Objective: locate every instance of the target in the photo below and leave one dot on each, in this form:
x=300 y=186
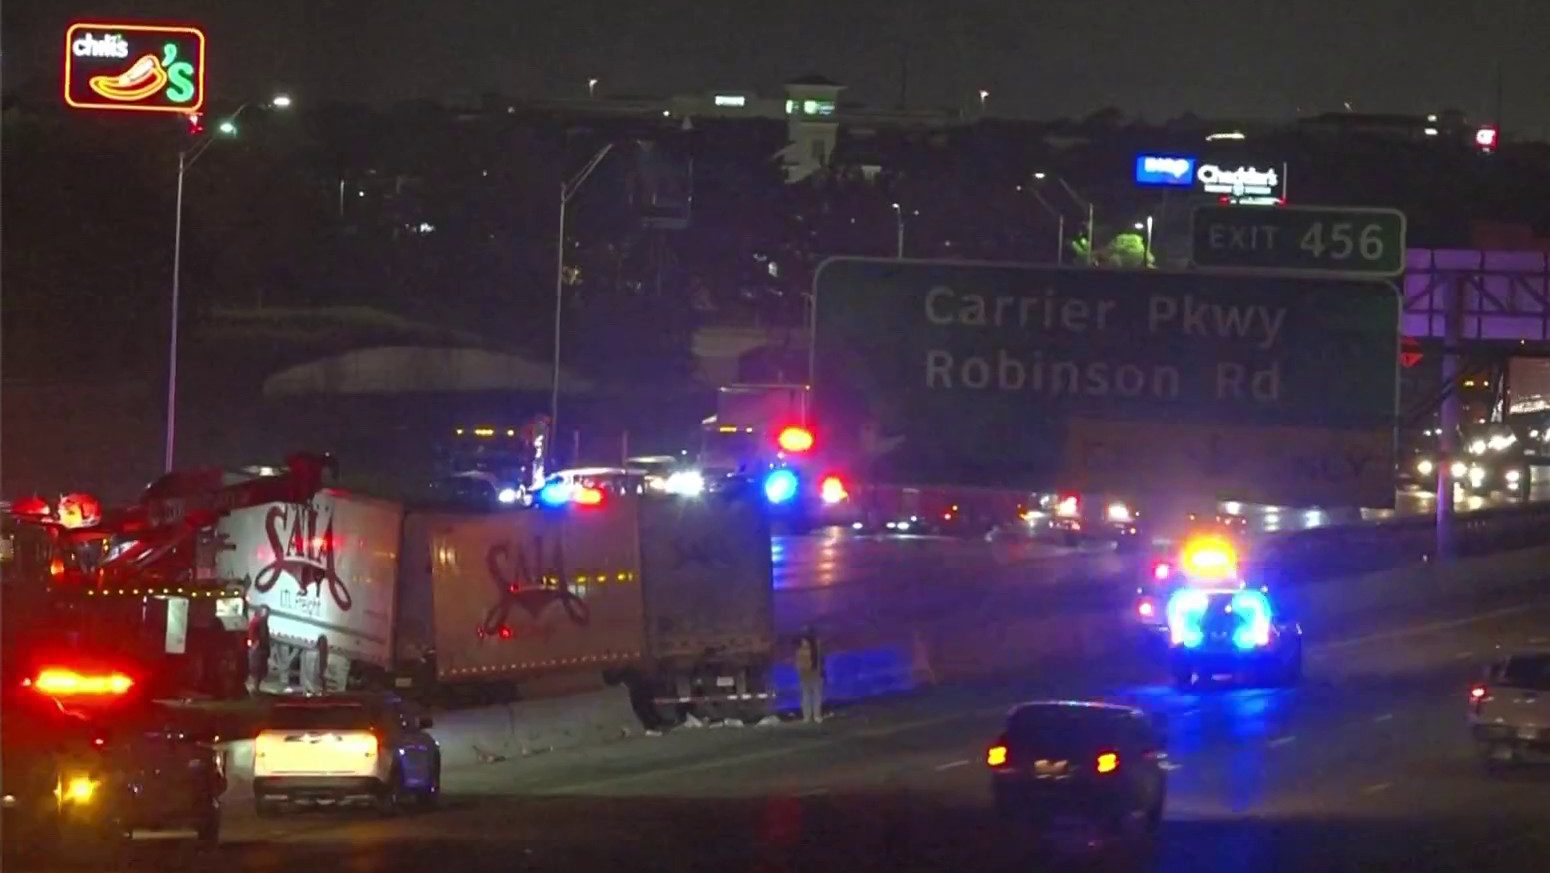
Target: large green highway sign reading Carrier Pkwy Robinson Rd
x=1258 y=388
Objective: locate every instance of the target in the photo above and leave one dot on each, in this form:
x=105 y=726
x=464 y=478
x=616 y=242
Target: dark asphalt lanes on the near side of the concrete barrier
x=1365 y=767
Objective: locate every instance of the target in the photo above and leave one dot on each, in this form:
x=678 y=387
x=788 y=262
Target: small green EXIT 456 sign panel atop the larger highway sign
x=1326 y=240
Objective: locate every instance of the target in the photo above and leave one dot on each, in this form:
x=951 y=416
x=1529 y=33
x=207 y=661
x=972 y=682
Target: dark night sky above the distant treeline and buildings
x=1038 y=58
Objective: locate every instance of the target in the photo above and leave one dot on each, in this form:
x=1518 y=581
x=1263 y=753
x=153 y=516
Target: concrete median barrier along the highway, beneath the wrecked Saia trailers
x=982 y=640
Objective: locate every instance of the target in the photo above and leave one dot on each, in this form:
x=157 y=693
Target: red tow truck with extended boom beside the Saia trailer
x=145 y=576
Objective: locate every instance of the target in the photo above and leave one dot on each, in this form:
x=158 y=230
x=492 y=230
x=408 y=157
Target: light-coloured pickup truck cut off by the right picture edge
x=1510 y=711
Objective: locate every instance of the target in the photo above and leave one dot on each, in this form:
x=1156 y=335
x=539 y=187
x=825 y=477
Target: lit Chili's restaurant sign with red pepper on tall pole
x=134 y=67
